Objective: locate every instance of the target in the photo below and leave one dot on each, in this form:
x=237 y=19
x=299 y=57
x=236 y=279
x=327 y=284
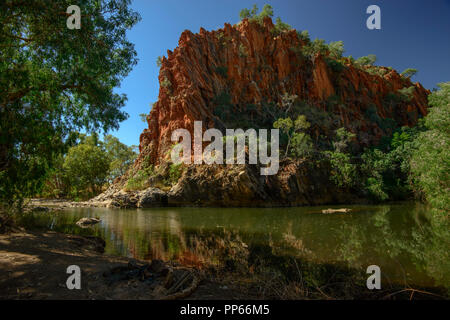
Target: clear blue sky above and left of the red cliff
x=413 y=34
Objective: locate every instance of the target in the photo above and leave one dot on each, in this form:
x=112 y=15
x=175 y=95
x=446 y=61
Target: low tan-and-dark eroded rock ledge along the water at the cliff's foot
x=297 y=183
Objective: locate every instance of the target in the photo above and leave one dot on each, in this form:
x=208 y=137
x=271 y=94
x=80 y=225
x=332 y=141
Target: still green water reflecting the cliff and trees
x=402 y=239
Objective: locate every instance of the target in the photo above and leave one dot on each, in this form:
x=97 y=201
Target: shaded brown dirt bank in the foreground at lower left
x=33 y=266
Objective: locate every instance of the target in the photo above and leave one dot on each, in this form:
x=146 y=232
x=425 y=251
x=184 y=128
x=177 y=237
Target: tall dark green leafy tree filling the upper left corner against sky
x=56 y=81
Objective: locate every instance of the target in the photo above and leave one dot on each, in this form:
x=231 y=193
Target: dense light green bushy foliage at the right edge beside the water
x=430 y=164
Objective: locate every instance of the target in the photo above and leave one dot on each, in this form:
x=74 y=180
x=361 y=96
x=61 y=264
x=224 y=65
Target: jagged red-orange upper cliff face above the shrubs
x=260 y=68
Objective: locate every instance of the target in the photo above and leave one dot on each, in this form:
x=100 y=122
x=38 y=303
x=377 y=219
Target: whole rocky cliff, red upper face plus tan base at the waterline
x=253 y=69
